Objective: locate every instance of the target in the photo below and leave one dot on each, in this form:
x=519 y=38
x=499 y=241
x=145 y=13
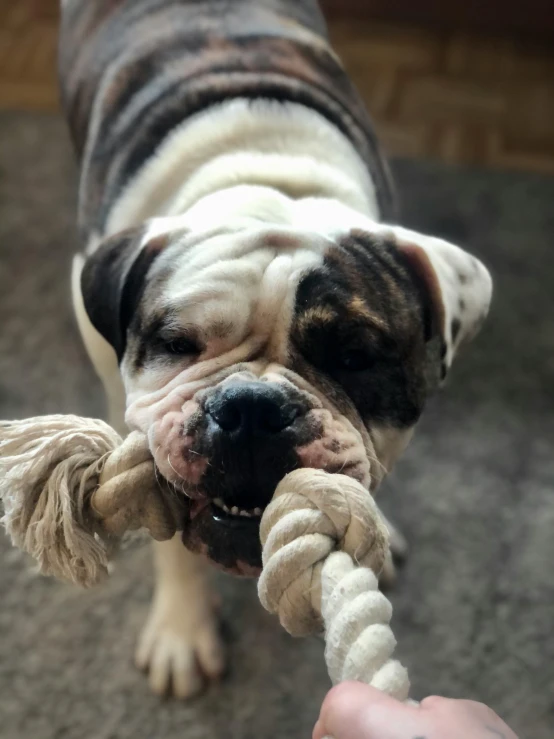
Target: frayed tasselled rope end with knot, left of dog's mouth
x=71 y=487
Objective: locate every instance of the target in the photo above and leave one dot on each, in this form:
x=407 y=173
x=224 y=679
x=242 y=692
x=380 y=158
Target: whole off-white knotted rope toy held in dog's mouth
x=71 y=488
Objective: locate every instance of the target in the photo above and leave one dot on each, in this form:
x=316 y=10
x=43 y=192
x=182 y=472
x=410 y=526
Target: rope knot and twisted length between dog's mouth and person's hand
x=310 y=585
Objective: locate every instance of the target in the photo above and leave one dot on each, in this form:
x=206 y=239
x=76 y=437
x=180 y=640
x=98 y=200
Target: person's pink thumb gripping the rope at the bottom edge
x=356 y=711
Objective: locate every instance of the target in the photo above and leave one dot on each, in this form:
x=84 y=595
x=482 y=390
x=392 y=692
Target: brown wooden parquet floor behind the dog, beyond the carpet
x=434 y=95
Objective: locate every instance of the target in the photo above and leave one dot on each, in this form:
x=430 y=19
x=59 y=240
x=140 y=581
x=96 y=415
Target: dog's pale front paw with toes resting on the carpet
x=180 y=648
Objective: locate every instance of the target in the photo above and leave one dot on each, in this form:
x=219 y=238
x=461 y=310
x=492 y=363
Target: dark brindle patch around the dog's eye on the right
x=371 y=354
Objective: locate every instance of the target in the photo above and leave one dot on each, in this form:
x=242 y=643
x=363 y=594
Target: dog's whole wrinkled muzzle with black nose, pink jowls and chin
x=227 y=446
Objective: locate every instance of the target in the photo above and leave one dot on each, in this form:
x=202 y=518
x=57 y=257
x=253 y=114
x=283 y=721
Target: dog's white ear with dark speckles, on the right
x=457 y=284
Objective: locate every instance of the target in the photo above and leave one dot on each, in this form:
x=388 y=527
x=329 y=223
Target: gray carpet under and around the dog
x=474 y=606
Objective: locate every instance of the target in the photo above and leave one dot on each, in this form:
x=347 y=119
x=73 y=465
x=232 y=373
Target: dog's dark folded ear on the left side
x=113 y=280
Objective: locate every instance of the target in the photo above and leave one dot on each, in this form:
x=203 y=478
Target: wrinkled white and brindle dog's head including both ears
x=247 y=353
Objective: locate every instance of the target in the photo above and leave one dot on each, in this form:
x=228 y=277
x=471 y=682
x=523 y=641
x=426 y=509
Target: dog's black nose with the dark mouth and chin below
x=251 y=429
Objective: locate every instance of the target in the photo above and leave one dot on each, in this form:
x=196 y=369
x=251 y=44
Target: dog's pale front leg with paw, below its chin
x=180 y=644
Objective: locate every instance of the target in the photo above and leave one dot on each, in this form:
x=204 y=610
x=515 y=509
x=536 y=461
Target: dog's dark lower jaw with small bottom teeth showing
x=227 y=535
